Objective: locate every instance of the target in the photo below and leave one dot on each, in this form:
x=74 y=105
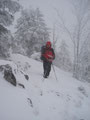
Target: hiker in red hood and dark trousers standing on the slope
x=47 y=56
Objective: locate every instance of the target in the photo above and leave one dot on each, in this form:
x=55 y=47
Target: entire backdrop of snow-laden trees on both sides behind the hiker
x=32 y=32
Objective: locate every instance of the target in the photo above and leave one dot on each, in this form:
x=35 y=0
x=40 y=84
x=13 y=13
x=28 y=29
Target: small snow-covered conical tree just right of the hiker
x=63 y=59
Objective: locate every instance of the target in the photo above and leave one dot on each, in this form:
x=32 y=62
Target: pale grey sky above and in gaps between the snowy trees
x=50 y=15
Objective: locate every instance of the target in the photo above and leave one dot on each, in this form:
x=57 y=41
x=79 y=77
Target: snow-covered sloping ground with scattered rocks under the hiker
x=42 y=99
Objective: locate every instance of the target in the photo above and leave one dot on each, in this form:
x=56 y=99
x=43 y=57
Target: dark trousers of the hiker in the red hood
x=47 y=68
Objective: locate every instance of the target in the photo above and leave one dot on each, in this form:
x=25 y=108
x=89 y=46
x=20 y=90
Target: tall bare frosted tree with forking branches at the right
x=81 y=10
